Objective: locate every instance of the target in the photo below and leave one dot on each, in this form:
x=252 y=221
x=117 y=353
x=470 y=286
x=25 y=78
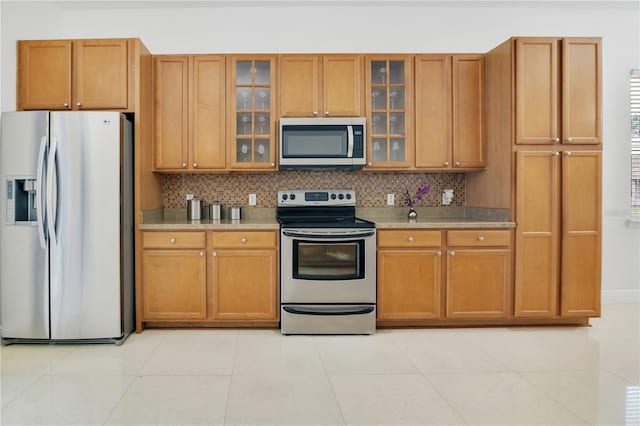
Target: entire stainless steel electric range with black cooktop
x=327 y=264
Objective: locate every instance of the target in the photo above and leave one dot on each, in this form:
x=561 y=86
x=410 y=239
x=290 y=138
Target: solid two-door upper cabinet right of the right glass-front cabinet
x=449 y=111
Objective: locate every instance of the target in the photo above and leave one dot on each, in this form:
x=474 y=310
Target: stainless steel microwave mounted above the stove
x=322 y=143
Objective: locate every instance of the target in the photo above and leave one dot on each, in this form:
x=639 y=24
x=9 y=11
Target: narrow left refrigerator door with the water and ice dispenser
x=24 y=289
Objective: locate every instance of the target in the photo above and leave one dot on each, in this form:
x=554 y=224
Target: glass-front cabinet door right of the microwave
x=389 y=108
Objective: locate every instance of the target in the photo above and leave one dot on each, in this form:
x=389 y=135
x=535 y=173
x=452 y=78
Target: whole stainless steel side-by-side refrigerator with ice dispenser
x=66 y=252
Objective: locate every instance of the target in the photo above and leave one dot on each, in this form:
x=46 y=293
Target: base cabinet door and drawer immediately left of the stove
x=245 y=276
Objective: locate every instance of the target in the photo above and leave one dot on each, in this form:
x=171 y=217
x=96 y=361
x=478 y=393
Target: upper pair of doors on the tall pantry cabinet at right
x=558 y=90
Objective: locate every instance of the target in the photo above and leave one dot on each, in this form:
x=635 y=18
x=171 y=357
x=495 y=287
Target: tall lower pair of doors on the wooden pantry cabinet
x=558 y=237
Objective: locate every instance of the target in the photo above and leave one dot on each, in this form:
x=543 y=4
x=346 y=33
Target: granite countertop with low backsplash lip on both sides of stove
x=265 y=218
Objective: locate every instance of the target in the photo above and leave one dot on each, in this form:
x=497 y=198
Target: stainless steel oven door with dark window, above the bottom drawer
x=328 y=265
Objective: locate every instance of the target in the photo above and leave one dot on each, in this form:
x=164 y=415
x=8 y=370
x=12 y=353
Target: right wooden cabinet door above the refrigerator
x=101 y=73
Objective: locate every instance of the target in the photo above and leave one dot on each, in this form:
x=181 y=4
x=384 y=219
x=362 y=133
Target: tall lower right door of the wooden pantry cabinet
x=581 y=233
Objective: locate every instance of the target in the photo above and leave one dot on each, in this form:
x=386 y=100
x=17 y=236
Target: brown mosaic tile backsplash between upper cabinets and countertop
x=371 y=188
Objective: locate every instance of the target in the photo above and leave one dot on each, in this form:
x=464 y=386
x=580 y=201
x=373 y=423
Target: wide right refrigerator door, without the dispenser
x=84 y=225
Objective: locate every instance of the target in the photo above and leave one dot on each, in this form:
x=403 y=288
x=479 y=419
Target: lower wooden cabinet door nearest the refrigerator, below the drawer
x=174 y=284
